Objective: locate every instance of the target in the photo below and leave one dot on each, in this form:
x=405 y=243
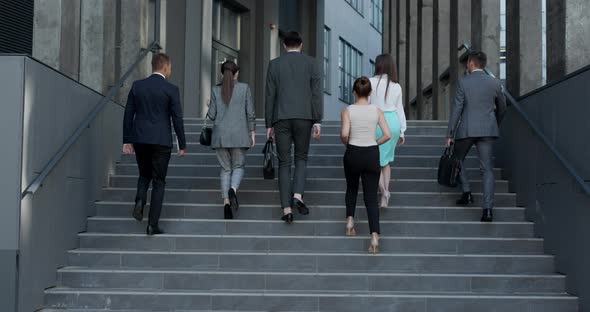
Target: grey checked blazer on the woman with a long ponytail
x=232 y=122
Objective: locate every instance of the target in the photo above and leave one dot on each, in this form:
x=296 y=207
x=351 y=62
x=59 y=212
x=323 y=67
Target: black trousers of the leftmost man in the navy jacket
x=152 y=161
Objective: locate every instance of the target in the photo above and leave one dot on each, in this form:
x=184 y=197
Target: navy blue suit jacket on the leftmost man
x=151 y=105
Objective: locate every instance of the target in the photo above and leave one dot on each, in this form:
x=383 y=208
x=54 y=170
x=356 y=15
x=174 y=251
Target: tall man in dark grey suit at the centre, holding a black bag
x=294 y=106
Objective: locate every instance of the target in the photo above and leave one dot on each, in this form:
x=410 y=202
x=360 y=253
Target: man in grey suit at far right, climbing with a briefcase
x=478 y=109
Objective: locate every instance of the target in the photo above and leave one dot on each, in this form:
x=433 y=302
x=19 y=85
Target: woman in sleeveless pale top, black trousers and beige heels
x=361 y=160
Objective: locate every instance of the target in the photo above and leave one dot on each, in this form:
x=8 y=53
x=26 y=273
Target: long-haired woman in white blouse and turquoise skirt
x=387 y=96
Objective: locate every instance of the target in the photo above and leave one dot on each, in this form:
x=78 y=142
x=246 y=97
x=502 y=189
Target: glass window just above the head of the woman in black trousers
x=350 y=63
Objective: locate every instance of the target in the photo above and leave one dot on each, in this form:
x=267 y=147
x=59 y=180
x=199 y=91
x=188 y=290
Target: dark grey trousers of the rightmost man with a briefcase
x=485 y=151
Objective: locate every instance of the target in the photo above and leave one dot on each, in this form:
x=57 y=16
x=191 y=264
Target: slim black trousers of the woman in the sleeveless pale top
x=363 y=163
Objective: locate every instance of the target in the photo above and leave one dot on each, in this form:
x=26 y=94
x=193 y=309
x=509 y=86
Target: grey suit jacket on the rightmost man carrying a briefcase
x=478 y=108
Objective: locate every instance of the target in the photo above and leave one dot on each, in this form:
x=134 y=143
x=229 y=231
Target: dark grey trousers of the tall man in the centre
x=292 y=132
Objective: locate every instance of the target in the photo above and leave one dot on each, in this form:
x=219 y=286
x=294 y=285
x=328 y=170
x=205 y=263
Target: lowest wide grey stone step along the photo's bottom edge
x=122 y=300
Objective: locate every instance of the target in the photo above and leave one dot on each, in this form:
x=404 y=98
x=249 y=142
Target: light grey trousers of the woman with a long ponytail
x=232 y=161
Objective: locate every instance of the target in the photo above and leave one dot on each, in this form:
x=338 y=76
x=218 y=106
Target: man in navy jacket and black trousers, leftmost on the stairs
x=152 y=103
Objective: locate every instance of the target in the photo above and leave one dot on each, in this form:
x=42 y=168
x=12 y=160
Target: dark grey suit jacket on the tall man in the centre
x=293 y=89
